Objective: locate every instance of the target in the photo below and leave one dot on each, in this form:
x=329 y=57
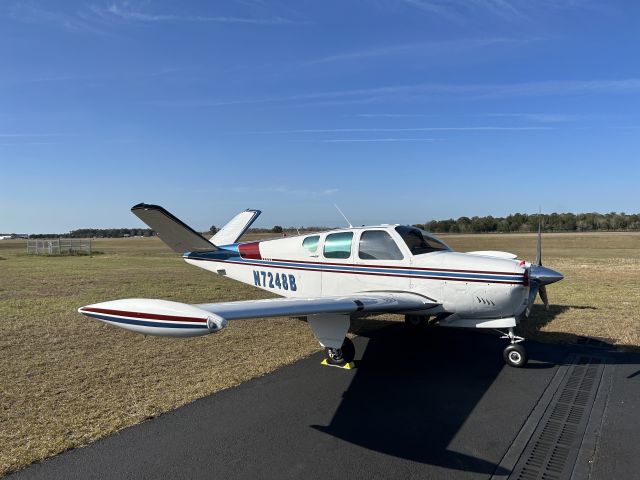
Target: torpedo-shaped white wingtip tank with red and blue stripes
x=156 y=317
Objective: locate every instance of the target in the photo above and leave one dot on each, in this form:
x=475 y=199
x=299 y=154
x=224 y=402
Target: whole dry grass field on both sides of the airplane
x=66 y=380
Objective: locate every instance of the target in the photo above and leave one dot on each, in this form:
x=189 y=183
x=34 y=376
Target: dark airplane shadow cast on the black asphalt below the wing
x=412 y=393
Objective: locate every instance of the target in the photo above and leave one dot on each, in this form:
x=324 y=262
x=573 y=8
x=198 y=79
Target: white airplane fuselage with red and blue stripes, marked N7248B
x=469 y=286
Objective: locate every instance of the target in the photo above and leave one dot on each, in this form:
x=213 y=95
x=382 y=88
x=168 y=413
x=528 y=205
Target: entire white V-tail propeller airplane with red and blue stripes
x=329 y=277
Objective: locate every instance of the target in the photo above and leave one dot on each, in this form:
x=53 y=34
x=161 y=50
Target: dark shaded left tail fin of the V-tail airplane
x=172 y=231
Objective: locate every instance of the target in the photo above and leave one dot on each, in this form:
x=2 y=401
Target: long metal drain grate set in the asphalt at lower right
x=551 y=452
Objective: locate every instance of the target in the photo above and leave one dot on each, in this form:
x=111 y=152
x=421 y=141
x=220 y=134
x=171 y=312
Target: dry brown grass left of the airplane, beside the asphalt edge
x=66 y=381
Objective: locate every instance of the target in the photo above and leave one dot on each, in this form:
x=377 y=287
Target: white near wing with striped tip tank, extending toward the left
x=163 y=317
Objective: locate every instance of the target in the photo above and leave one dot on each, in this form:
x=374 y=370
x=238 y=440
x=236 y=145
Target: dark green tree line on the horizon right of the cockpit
x=522 y=222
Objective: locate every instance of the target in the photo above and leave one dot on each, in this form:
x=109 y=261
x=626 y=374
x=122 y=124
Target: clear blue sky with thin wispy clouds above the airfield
x=398 y=111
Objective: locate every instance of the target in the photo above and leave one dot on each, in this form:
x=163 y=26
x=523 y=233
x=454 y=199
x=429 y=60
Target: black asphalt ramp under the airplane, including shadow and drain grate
x=440 y=405
